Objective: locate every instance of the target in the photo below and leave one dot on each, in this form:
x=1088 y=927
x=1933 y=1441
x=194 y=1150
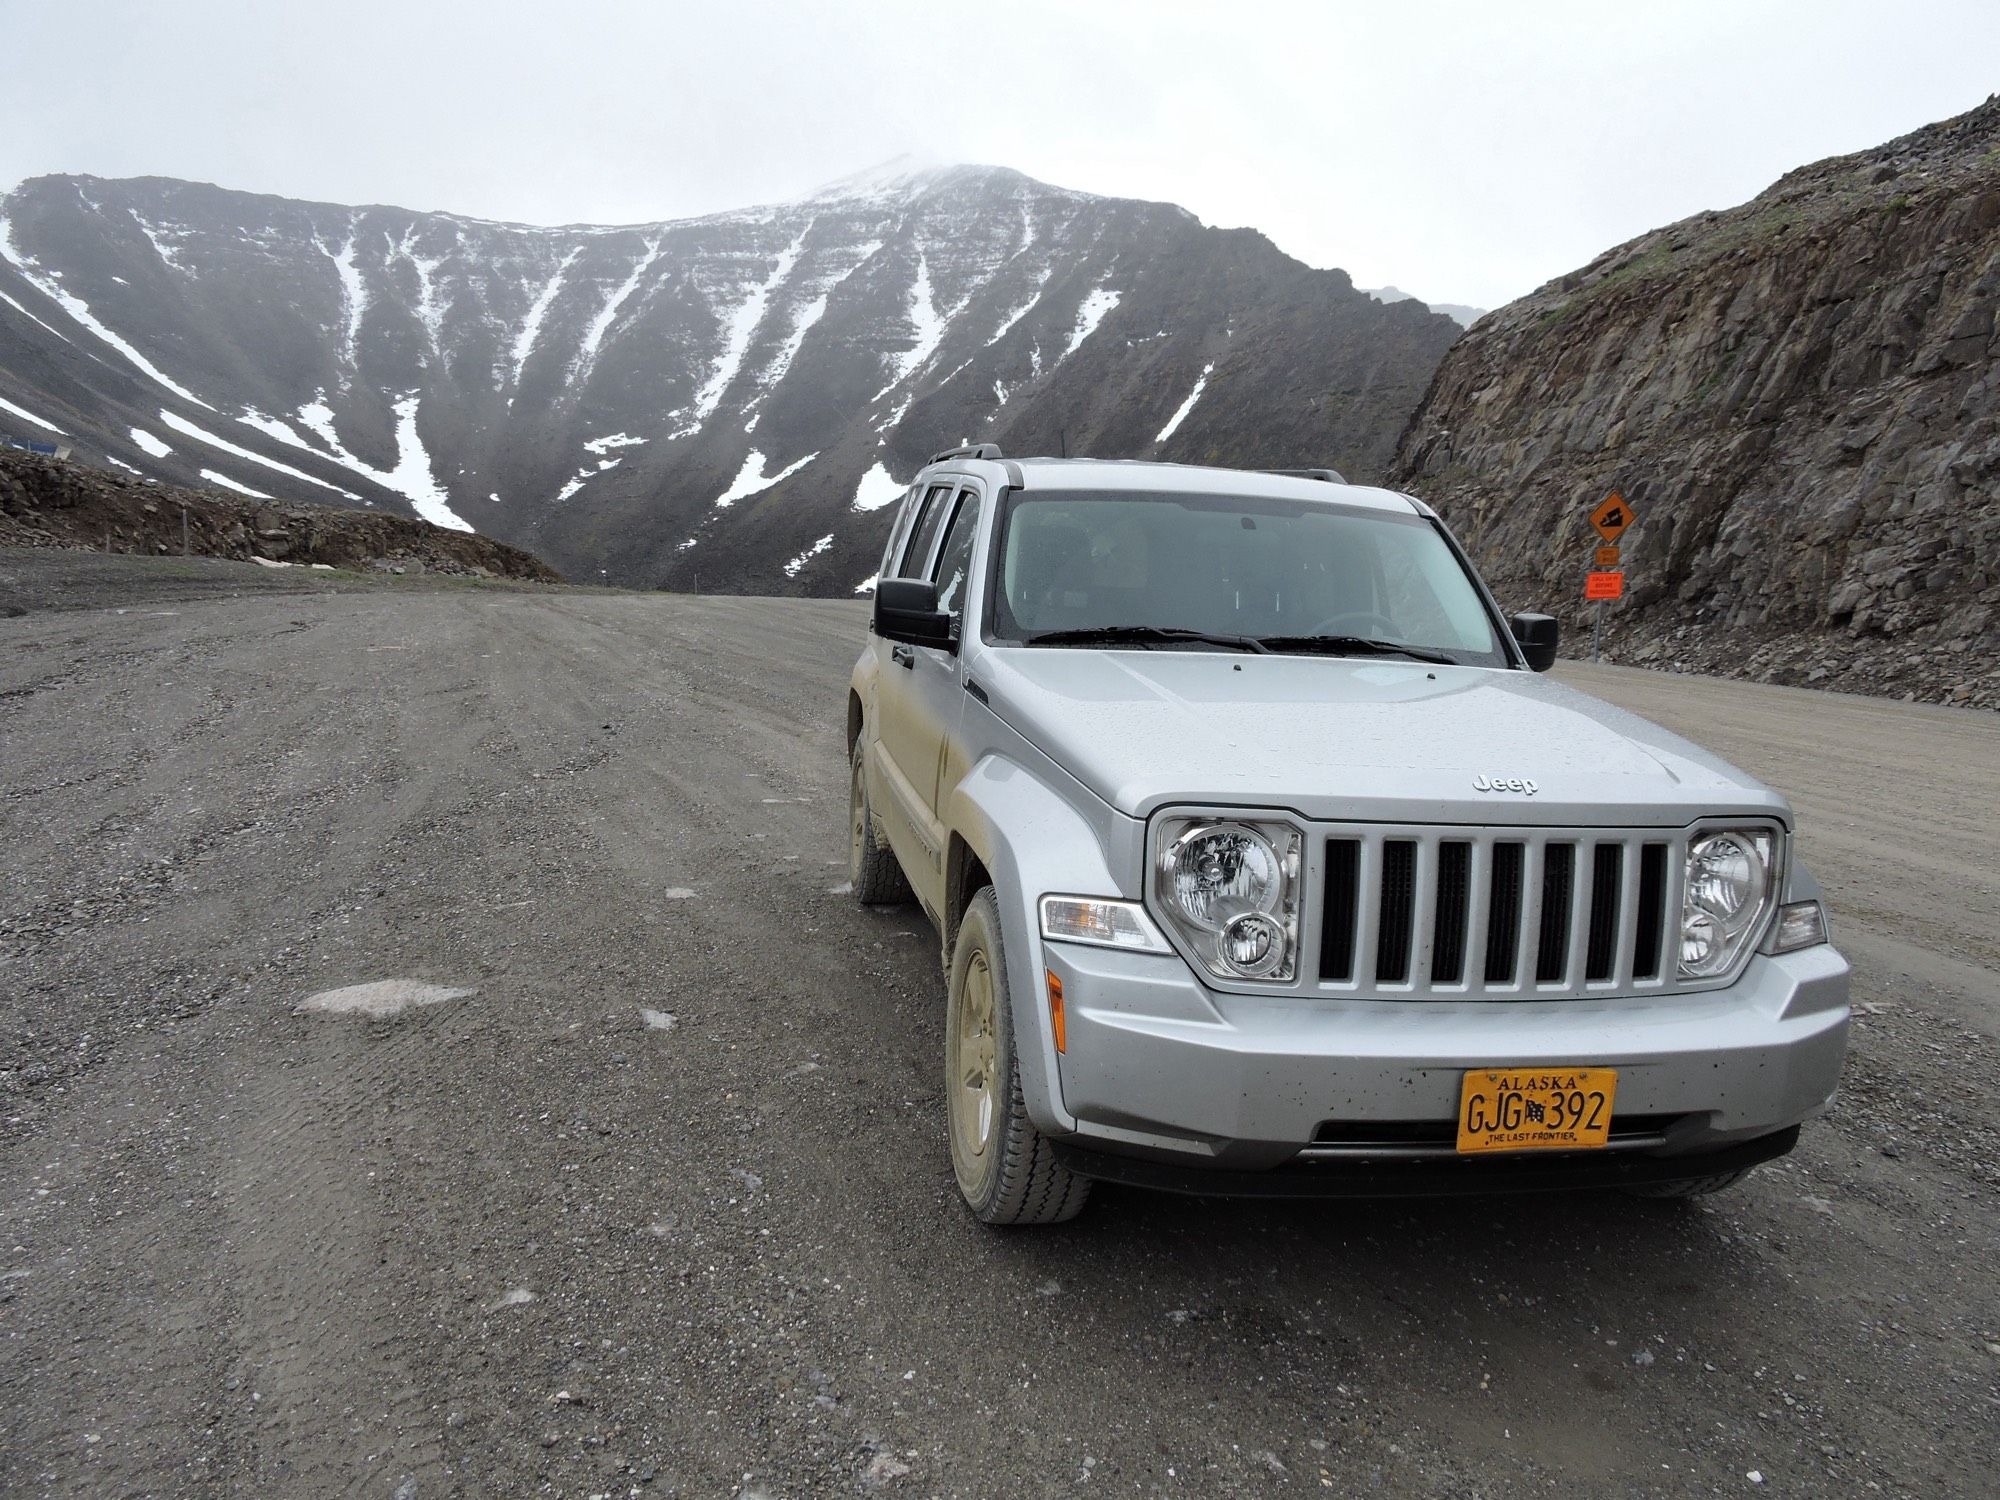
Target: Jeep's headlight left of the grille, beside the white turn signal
x=1231 y=891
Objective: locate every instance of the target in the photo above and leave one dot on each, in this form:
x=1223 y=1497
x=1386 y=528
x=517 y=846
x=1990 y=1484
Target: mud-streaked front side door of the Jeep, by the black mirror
x=921 y=697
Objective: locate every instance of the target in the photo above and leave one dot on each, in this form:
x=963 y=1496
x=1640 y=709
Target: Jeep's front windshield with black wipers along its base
x=1255 y=569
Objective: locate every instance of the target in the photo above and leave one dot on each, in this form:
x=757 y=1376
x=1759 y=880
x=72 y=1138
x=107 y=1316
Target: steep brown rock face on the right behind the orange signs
x=1803 y=403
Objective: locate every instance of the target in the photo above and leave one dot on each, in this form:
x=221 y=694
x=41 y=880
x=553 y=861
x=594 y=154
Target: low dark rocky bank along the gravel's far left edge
x=55 y=503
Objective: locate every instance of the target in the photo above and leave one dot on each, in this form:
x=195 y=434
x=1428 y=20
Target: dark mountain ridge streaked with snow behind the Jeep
x=719 y=403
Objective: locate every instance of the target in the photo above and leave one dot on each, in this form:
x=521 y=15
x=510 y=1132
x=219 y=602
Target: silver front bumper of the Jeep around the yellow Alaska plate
x=1163 y=1069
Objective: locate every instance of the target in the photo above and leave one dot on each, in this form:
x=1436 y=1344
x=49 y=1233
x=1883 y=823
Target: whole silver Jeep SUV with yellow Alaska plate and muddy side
x=1265 y=859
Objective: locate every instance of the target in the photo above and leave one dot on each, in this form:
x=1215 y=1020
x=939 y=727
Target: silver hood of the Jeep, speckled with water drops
x=1351 y=739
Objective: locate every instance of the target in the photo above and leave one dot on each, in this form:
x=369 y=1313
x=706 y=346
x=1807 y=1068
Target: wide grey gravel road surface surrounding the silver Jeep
x=663 y=1207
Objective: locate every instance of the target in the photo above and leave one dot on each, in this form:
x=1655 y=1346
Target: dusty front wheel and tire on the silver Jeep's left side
x=1007 y=1171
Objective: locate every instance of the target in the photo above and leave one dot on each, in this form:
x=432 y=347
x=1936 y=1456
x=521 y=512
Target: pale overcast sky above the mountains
x=1465 y=153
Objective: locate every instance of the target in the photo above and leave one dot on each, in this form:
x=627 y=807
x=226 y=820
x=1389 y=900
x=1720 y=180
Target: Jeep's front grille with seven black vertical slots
x=1495 y=911
